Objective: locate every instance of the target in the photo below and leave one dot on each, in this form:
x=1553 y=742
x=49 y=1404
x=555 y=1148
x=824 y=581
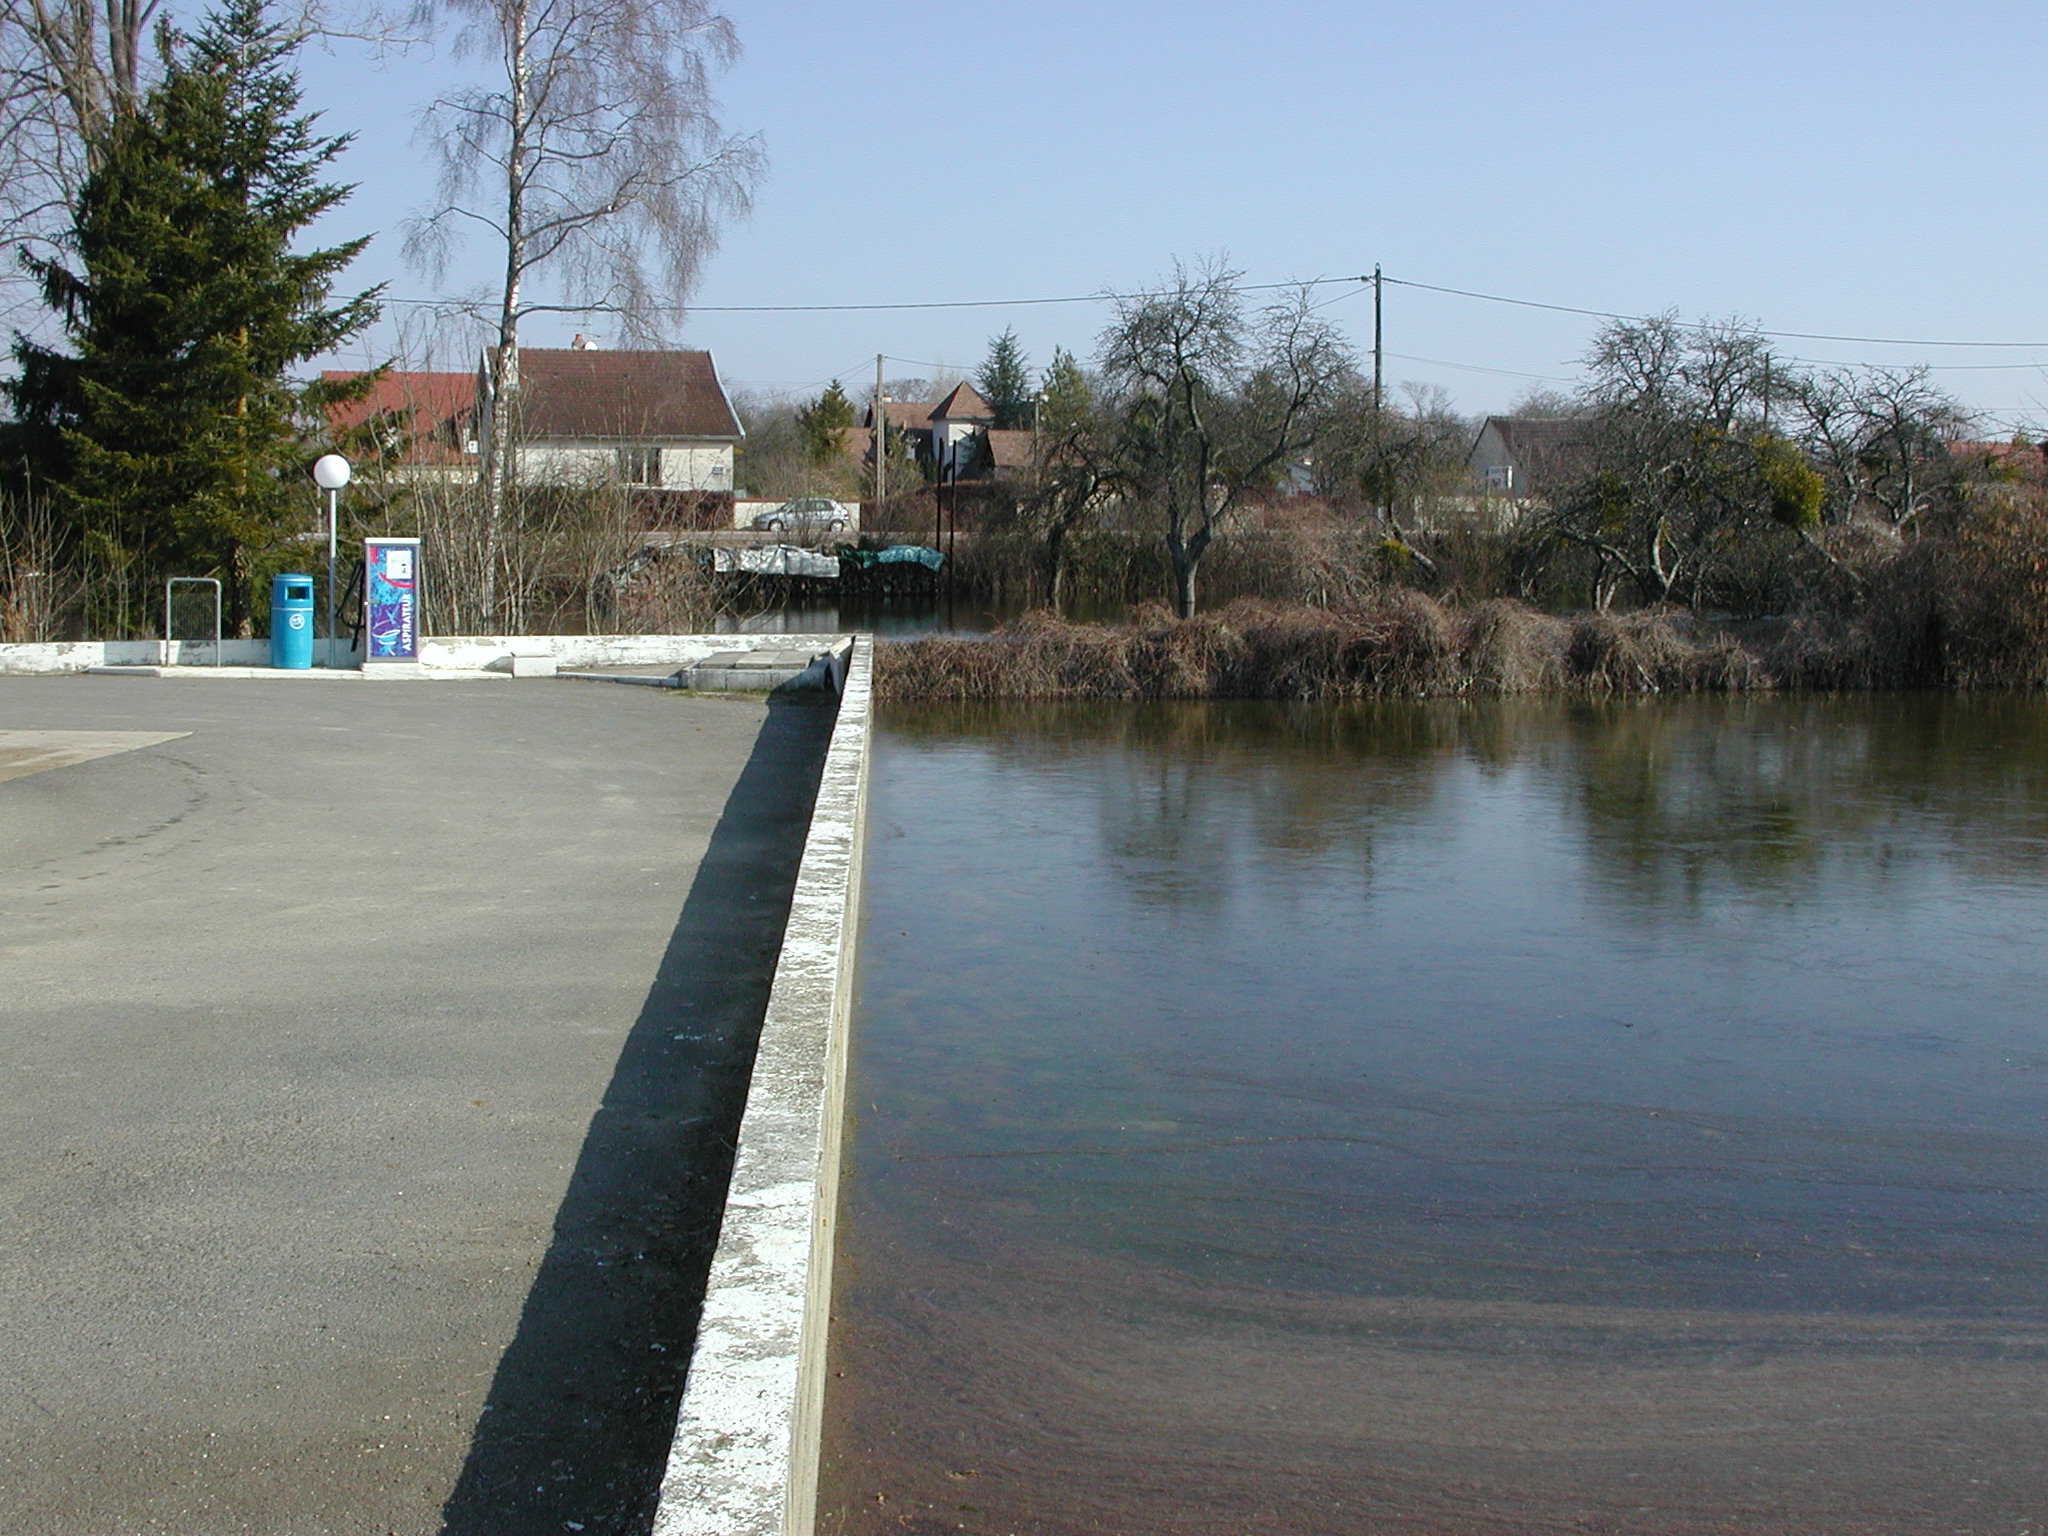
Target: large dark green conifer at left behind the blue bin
x=169 y=433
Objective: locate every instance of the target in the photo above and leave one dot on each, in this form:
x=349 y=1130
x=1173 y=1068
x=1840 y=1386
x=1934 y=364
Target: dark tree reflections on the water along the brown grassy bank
x=1674 y=800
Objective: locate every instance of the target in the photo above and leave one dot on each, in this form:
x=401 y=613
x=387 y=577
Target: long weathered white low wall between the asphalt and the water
x=746 y=1451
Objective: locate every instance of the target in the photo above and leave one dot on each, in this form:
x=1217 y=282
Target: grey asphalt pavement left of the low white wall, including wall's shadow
x=368 y=1064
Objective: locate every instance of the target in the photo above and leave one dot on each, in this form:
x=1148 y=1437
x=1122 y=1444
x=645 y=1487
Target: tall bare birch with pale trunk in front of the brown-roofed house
x=593 y=157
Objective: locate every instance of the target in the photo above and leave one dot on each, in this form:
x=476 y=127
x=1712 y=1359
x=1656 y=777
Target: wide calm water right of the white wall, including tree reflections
x=1451 y=1119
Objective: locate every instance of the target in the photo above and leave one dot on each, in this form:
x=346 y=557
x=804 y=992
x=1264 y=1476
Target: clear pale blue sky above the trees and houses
x=1816 y=167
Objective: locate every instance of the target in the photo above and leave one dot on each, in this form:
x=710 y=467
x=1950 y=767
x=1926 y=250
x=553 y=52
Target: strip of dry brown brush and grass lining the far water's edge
x=1957 y=609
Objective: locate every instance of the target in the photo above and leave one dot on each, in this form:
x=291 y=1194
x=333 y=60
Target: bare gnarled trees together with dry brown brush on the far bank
x=1703 y=515
